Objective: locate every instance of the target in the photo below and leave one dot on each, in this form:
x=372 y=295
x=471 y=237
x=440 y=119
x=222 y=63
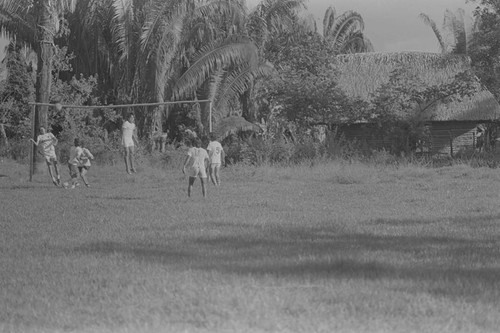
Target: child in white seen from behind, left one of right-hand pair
x=196 y=165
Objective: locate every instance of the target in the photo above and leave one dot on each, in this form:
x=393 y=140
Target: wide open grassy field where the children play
x=329 y=248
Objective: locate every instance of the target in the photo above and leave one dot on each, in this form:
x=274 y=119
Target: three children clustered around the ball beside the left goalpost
x=78 y=163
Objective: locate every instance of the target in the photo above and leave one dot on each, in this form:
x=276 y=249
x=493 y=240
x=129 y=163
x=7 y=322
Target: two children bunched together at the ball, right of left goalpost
x=79 y=164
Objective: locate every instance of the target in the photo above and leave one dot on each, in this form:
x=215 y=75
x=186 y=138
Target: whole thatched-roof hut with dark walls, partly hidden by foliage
x=452 y=124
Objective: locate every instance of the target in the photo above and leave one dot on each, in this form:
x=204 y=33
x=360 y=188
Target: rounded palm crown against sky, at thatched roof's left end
x=344 y=33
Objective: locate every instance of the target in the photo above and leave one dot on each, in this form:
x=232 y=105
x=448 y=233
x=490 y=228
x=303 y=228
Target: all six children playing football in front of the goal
x=199 y=163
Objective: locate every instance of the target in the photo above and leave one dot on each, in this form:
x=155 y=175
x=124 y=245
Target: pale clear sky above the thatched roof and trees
x=392 y=25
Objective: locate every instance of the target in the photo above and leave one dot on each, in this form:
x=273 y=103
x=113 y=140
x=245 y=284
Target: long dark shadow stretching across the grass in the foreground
x=326 y=253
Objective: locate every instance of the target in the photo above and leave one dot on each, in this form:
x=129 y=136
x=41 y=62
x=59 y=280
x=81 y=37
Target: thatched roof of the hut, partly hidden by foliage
x=362 y=74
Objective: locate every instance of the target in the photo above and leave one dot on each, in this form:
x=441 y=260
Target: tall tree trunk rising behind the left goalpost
x=46 y=32
